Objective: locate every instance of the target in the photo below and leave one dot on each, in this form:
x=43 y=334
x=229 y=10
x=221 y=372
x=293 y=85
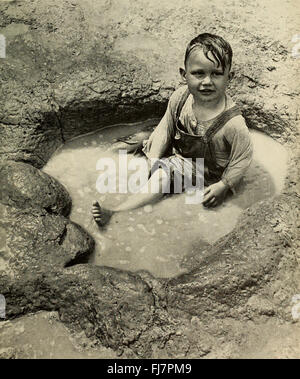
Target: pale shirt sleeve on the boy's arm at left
x=161 y=138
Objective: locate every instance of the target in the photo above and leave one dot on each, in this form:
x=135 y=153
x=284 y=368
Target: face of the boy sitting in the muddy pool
x=206 y=81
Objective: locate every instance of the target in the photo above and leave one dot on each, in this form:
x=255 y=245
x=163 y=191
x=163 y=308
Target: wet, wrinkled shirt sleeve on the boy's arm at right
x=238 y=138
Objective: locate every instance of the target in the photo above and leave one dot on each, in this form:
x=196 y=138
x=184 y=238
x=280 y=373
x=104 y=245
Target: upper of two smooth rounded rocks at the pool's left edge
x=24 y=186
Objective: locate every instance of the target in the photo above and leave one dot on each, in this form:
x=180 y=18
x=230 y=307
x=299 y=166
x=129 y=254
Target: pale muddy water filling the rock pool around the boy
x=156 y=238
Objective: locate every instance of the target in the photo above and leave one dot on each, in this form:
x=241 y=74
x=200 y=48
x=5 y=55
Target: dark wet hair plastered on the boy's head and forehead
x=219 y=48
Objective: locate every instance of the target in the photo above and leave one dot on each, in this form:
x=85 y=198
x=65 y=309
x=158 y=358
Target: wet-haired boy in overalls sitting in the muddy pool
x=201 y=121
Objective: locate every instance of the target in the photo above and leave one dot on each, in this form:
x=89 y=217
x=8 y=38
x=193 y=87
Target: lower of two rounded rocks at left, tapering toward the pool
x=37 y=241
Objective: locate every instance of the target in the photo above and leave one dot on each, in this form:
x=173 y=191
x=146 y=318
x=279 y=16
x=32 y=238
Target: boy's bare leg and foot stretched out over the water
x=153 y=190
